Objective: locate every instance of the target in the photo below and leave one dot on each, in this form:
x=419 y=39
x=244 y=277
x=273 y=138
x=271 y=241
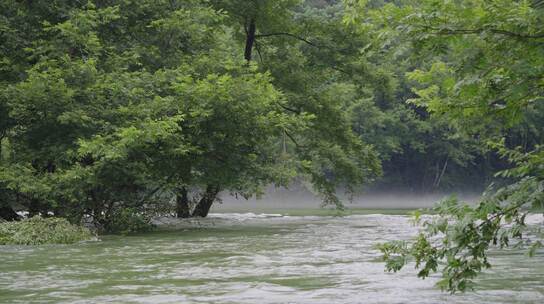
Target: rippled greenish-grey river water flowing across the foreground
x=250 y=258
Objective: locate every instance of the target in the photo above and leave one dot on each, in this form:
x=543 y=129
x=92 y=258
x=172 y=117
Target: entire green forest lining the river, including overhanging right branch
x=112 y=112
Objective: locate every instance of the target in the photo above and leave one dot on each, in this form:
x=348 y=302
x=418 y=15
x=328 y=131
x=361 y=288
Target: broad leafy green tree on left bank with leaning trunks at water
x=125 y=106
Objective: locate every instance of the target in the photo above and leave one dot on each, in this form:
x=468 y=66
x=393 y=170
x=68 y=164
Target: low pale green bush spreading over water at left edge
x=38 y=230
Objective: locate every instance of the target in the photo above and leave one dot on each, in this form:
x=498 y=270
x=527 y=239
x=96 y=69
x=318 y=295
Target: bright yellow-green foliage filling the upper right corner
x=485 y=57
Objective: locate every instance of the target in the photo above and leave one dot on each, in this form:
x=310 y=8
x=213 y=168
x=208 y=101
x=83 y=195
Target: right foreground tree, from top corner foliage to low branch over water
x=484 y=76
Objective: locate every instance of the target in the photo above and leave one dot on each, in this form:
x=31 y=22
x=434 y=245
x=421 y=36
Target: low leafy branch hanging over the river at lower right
x=462 y=235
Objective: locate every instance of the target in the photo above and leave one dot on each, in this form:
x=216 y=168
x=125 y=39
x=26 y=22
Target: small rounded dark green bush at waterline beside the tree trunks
x=128 y=220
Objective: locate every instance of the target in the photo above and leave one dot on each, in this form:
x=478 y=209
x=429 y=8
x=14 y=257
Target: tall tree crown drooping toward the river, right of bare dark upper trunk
x=296 y=42
